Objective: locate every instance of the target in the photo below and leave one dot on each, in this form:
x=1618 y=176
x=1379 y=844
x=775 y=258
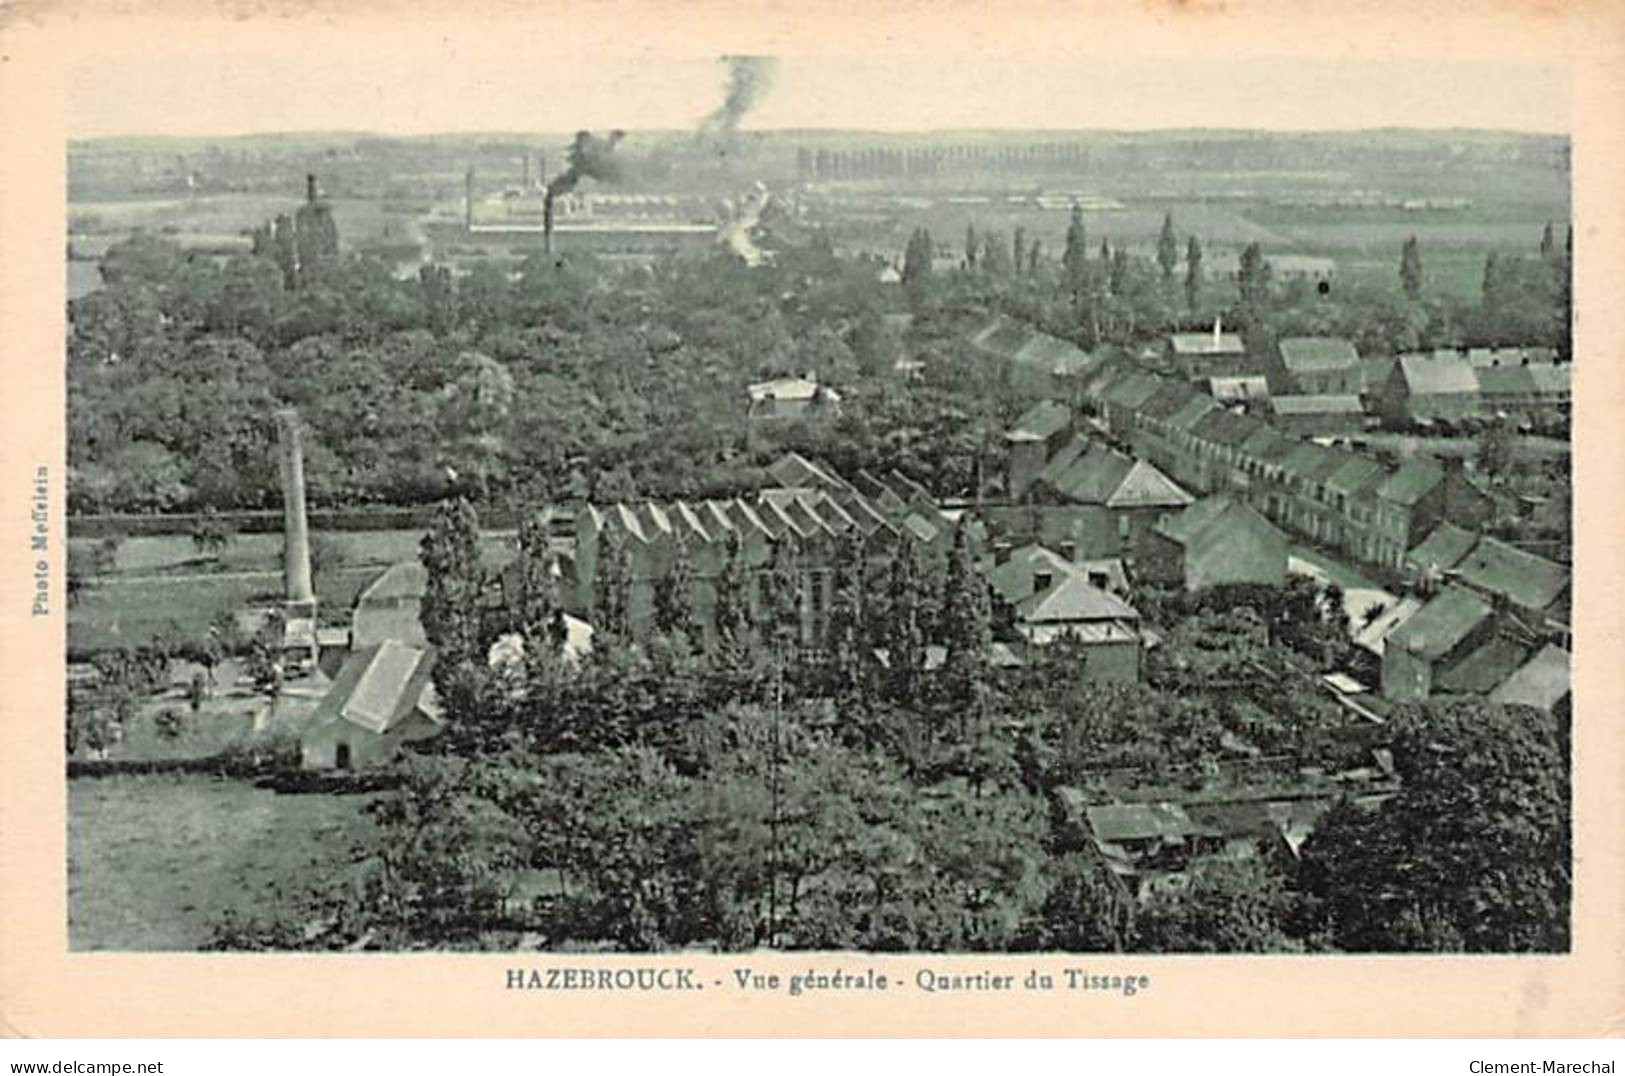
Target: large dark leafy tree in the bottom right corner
x=1475 y=853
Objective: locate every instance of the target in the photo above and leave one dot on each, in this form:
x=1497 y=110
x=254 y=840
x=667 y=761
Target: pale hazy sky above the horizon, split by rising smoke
x=427 y=87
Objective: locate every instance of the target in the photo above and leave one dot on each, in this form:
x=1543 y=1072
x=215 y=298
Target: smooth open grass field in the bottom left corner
x=155 y=862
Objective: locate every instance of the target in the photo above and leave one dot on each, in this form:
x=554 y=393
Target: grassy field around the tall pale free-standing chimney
x=163 y=581
